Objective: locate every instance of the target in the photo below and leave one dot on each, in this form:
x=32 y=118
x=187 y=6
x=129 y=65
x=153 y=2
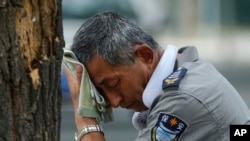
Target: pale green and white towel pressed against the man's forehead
x=91 y=102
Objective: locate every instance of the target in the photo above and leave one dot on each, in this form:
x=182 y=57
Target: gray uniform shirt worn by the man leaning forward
x=201 y=108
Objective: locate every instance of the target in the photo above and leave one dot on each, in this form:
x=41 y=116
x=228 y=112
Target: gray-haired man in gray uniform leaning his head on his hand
x=176 y=95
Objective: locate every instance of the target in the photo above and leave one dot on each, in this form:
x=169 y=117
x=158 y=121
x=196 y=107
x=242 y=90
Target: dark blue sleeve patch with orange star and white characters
x=168 y=128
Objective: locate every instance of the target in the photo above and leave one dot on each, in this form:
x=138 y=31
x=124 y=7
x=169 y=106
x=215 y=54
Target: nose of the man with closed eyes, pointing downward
x=114 y=99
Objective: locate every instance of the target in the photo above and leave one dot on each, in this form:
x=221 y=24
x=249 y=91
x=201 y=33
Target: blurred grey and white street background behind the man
x=220 y=29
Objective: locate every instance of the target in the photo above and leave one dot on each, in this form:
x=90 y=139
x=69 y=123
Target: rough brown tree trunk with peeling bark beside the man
x=31 y=41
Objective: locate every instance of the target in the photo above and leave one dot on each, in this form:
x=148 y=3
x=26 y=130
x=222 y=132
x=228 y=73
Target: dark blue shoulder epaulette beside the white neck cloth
x=173 y=80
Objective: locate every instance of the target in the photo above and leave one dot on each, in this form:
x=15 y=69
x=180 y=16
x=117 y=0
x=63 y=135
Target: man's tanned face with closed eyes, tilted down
x=121 y=85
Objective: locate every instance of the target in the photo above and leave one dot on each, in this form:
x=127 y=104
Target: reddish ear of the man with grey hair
x=145 y=53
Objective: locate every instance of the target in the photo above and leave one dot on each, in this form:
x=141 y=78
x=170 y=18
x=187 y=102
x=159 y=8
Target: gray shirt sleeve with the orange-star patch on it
x=179 y=116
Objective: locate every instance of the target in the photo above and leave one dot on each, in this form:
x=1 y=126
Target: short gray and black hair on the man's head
x=112 y=36
